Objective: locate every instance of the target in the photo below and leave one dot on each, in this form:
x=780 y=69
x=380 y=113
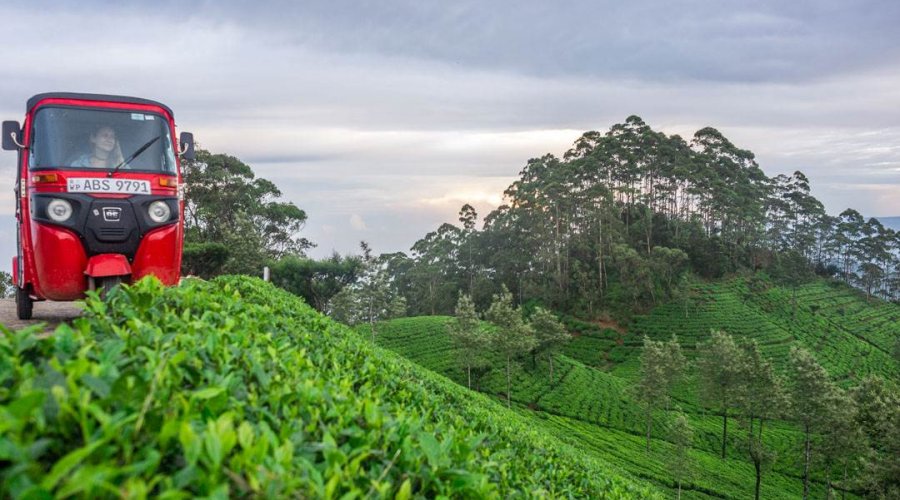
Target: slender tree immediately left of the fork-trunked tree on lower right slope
x=721 y=366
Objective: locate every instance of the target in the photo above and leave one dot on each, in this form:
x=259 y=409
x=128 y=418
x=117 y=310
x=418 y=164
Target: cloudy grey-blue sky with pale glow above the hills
x=381 y=119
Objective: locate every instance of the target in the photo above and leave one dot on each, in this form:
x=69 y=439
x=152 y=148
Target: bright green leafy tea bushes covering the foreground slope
x=235 y=388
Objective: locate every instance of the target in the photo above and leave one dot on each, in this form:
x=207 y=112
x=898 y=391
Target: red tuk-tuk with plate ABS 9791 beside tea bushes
x=99 y=195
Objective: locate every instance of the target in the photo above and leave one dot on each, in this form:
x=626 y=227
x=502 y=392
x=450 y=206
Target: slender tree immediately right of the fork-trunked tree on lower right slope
x=809 y=391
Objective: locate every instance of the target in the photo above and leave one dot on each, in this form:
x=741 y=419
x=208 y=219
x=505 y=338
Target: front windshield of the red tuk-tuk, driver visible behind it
x=67 y=137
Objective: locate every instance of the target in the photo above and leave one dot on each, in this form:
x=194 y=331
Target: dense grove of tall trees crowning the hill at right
x=617 y=222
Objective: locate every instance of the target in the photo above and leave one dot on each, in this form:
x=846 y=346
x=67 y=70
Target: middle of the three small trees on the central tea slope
x=512 y=337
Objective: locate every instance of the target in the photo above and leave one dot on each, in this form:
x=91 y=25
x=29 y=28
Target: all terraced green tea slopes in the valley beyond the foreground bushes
x=589 y=405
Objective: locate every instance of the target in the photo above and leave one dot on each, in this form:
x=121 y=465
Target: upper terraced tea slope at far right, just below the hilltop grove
x=849 y=337
